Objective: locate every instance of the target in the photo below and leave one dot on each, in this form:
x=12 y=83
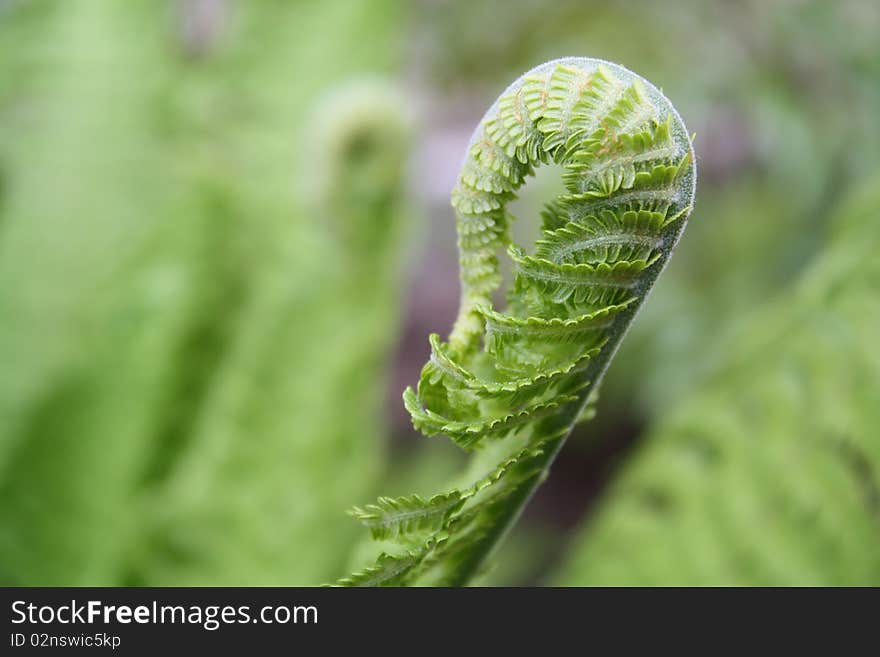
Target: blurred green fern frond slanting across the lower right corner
x=771 y=474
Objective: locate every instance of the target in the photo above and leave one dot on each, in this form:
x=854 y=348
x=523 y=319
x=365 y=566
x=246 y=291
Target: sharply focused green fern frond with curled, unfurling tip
x=513 y=383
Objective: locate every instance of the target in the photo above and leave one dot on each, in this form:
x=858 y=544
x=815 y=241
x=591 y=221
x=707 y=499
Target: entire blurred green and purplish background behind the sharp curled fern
x=225 y=235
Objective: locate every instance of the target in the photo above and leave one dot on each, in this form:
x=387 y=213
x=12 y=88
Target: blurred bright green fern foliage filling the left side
x=181 y=318
